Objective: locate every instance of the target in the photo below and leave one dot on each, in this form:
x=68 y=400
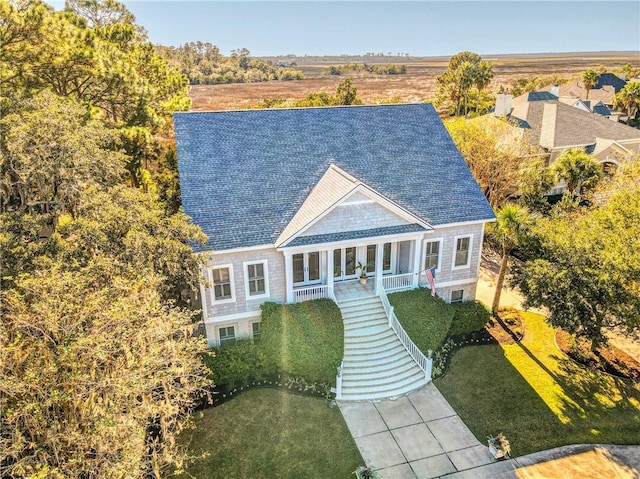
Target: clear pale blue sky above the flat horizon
x=419 y=28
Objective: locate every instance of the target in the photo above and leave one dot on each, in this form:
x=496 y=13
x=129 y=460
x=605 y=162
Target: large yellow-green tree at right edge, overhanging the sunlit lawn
x=587 y=270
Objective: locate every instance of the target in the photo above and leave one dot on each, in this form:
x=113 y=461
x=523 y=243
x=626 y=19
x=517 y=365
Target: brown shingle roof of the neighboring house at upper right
x=568 y=125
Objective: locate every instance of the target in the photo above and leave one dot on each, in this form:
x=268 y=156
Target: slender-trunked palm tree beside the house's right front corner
x=512 y=223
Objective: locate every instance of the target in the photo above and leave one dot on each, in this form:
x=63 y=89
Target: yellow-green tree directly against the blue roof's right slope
x=496 y=153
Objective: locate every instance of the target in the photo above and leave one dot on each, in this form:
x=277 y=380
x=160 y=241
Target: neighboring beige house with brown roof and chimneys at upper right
x=556 y=126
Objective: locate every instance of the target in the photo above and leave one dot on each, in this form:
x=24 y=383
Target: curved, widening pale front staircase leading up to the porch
x=376 y=365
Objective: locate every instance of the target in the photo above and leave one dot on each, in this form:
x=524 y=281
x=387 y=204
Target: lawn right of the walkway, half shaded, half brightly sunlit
x=538 y=397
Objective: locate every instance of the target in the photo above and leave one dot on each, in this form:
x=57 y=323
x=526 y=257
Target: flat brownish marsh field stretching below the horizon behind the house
x=416 y=85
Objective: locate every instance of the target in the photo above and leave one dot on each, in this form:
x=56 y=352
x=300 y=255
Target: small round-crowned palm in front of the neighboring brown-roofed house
x=578 y=169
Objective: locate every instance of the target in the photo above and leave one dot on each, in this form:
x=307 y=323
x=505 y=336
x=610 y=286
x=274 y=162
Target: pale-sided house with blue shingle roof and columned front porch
x=292 y=199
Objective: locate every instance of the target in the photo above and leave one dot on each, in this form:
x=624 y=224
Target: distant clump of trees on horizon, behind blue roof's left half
x=203 y=64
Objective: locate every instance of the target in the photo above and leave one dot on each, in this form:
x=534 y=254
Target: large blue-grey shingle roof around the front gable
x=245 y=174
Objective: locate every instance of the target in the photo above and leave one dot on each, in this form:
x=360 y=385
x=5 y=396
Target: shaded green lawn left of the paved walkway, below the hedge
x=266 y=433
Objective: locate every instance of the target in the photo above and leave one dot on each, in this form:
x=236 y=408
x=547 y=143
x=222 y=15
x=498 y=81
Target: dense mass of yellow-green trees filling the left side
x=99 y=367
